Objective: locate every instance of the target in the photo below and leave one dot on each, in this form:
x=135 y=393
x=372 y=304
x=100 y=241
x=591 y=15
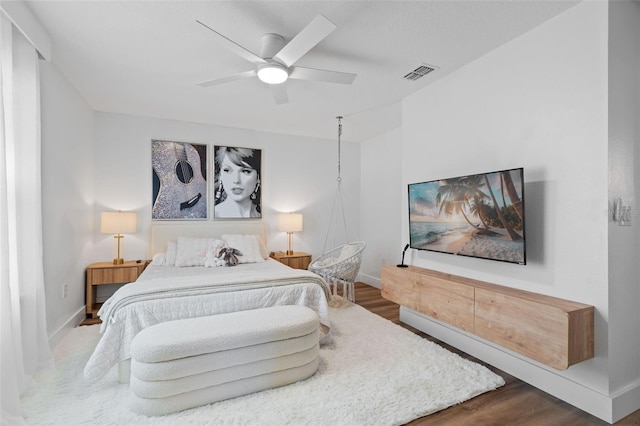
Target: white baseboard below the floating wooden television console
x=605 y=407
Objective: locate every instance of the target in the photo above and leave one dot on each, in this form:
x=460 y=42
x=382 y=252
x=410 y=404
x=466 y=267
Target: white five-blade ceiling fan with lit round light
x=275 y=63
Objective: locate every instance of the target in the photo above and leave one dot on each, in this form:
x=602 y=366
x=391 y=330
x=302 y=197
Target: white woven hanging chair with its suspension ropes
x=340 y=265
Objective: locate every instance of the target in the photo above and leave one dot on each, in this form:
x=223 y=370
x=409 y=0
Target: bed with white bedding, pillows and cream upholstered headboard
x=168 y=292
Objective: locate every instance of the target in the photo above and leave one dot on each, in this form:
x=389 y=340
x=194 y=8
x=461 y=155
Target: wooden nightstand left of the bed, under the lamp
x=107 y=273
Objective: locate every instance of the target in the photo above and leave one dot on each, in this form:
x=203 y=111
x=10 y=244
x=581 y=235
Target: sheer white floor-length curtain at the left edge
x=25 y=346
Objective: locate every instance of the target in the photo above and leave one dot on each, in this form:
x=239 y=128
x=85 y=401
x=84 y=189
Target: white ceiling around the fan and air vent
x=146 y=57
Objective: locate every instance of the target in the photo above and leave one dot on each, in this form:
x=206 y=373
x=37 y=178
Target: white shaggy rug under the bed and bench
x=373 y=373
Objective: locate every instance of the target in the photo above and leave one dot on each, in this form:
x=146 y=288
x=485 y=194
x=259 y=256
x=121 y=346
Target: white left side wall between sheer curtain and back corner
x=67 y=196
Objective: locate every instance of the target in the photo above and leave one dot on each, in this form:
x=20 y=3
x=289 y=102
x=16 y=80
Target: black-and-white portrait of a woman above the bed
x=237 y=183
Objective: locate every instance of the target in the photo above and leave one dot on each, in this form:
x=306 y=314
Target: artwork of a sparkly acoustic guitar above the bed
x=179 y=180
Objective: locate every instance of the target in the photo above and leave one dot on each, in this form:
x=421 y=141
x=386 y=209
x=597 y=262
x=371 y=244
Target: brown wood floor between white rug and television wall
x=515 y=403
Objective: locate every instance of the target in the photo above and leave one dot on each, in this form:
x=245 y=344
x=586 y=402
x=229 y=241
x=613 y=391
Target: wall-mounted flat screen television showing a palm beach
x=479 y=215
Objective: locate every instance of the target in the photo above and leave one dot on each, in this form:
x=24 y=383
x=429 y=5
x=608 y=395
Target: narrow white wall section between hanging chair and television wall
x=381 y=204
